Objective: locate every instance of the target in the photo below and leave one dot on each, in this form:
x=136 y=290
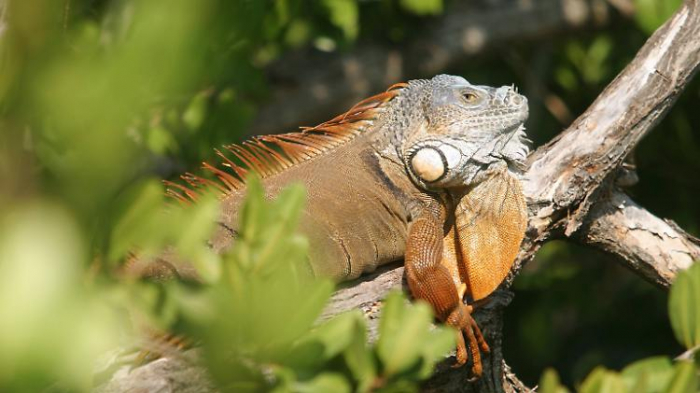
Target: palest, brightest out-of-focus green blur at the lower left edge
x=52 y=327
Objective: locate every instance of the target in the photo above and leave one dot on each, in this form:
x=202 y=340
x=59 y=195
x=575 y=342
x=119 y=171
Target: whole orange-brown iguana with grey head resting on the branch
x=426 y=172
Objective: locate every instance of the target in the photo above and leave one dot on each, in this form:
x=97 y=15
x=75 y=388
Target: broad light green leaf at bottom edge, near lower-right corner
x=648 y=375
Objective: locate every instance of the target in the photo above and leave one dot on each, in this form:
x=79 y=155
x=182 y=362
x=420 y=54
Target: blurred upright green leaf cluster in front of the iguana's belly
x=267 y=299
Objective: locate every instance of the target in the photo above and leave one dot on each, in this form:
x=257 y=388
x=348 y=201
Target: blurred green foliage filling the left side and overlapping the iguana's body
x=94 y=94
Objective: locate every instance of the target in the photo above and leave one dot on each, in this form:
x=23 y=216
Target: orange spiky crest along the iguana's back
x=268 y=155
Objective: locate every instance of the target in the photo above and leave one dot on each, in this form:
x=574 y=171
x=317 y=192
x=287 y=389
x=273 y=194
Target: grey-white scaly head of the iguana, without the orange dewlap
x=455 y=130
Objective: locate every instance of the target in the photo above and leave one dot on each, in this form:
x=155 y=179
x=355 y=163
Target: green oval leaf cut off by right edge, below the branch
x=684 y=306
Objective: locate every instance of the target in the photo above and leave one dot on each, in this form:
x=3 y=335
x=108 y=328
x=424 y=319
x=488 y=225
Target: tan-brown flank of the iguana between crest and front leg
x=356 y=213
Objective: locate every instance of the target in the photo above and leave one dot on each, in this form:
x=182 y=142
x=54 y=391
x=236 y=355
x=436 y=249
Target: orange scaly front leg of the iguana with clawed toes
x=429 y=280
